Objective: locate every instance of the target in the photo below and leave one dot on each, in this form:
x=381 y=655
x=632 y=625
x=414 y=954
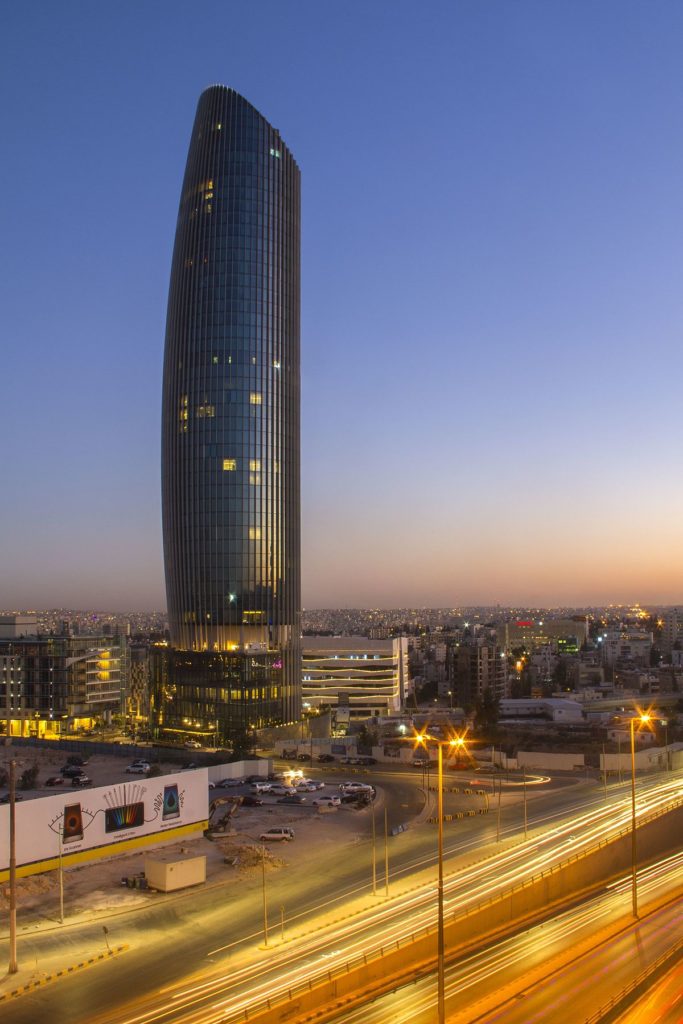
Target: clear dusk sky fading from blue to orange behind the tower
x=493 y=241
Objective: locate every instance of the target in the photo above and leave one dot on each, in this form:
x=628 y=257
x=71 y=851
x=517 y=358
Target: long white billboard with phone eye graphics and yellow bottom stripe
x=104 y=822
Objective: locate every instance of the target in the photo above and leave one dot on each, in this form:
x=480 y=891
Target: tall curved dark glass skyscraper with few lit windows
x=231 y=430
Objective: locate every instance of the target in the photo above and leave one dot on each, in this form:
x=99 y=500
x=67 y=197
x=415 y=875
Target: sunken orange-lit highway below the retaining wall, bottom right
x=520 y=980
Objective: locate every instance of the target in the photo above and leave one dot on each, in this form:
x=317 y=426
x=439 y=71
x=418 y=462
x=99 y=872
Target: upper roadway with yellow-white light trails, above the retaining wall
x=216 y=933
